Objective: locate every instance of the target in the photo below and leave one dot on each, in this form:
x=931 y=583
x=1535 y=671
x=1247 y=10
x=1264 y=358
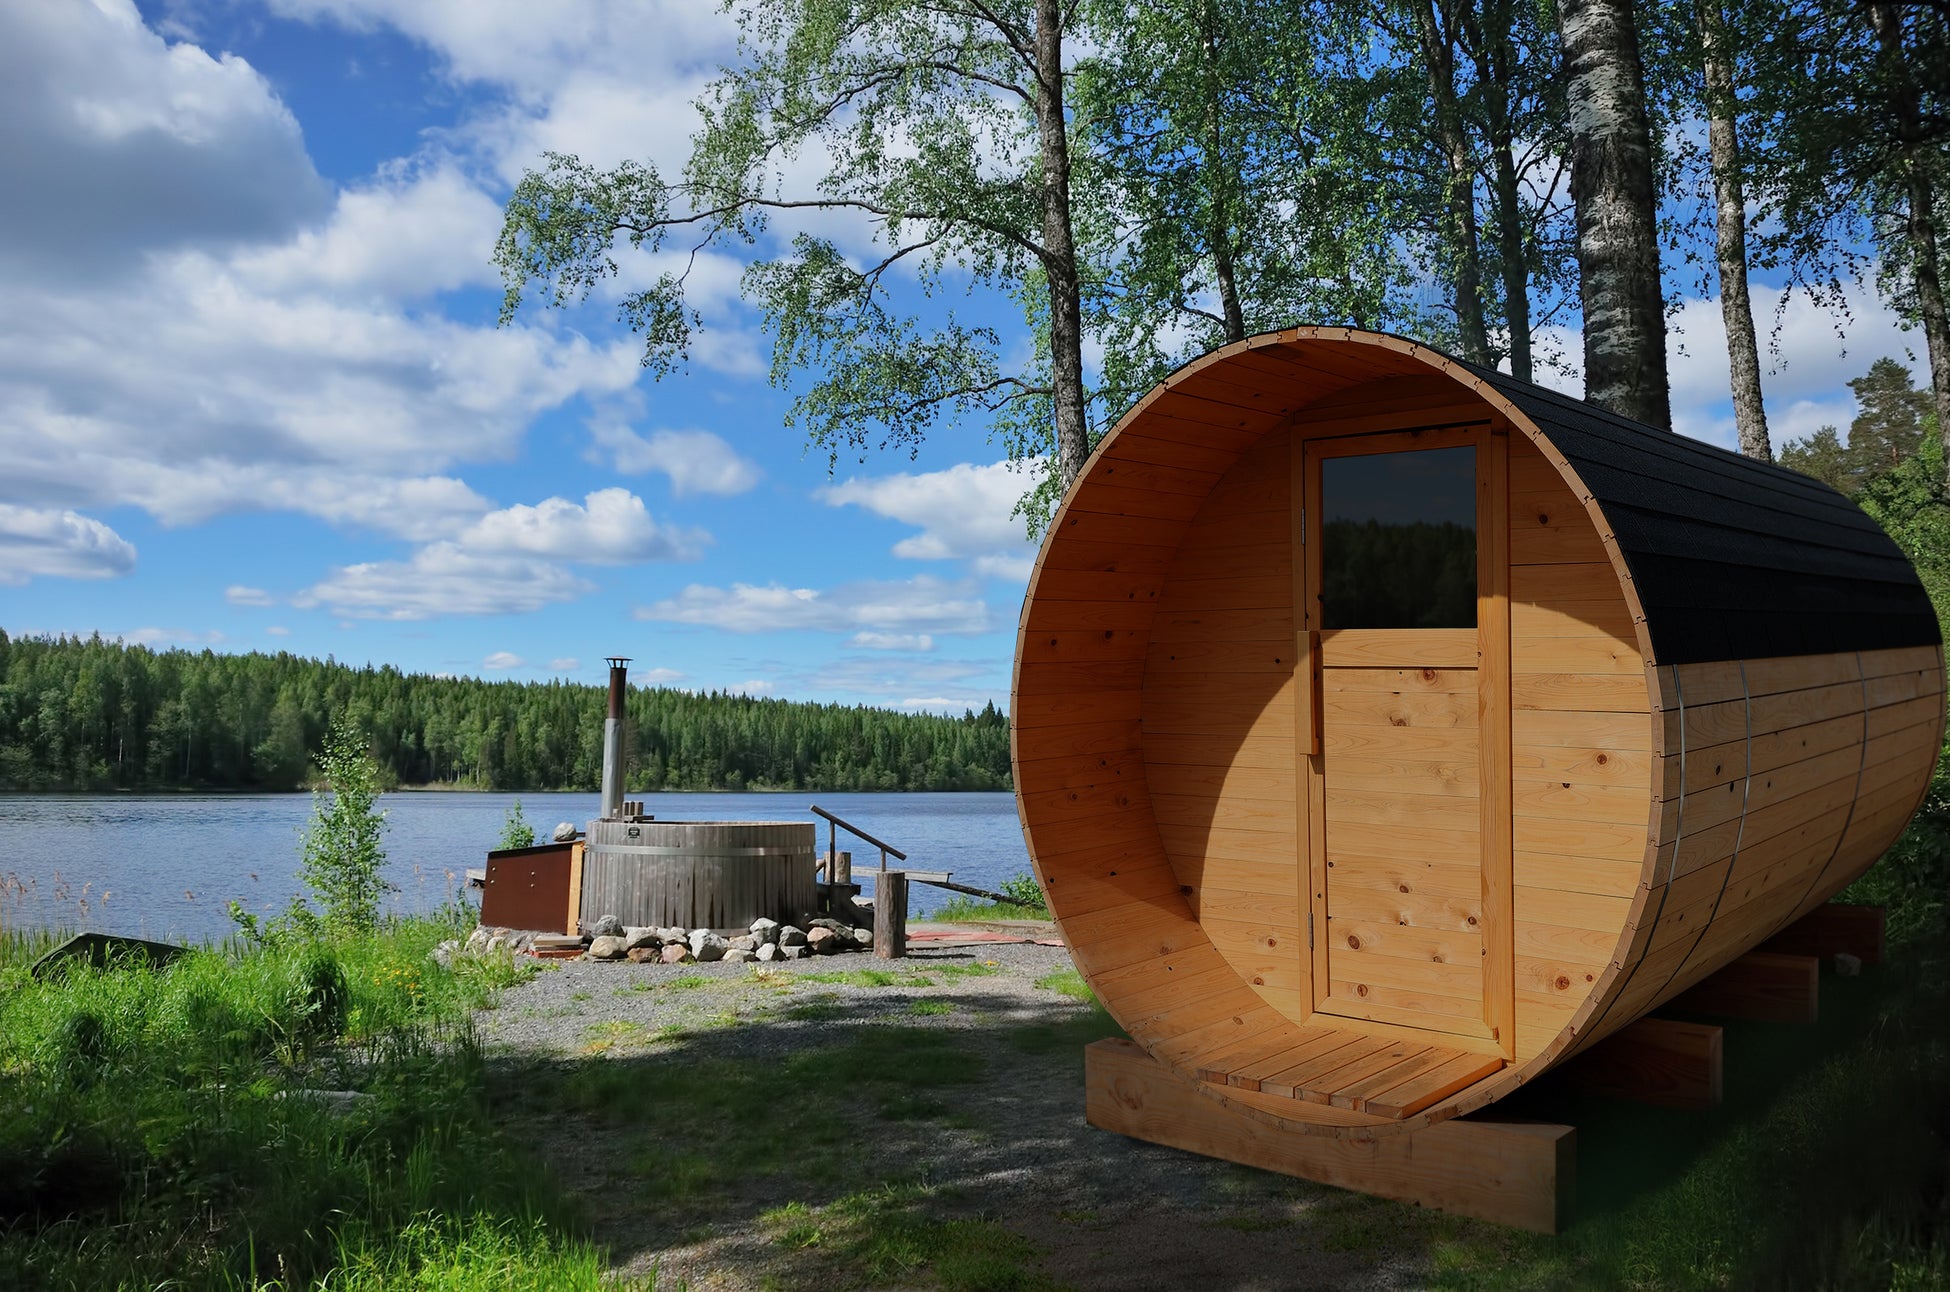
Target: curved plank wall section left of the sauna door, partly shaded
x=1220 y=718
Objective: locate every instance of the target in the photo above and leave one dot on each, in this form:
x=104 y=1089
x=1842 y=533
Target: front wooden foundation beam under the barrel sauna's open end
x=1518 y=1174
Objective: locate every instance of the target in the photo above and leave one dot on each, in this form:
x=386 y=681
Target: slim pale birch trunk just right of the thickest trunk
x=1731 y=241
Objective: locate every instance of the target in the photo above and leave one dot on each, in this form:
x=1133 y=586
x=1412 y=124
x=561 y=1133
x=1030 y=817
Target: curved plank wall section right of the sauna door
x=1580 y=751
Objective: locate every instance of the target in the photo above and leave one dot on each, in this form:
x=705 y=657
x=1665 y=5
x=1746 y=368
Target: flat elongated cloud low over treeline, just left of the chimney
x=444 y=580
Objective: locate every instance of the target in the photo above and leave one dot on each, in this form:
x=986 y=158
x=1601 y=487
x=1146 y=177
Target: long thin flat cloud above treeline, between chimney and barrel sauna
x=916 y=605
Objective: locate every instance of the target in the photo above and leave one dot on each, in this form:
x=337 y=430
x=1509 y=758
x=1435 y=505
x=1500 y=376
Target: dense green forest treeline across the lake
x=93 y=714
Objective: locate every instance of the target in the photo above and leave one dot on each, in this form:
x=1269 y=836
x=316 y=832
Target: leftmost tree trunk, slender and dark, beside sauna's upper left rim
x=1060 y=250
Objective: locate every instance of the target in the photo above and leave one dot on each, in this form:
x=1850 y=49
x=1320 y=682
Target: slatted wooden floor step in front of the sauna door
x=1384 y=1077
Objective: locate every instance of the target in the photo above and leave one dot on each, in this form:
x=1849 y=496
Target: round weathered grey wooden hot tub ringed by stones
x=699 y=874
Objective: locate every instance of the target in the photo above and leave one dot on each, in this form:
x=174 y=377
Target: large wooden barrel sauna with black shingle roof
x=1389 y=730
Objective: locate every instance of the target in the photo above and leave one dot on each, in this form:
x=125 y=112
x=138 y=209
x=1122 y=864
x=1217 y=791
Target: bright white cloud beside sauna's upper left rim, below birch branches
x=962 y=513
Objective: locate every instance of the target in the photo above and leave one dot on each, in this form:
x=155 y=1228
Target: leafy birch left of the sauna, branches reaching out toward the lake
x=943 y=128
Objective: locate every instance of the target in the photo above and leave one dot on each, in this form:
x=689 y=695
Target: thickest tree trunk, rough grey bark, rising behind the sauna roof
x=1618 y=229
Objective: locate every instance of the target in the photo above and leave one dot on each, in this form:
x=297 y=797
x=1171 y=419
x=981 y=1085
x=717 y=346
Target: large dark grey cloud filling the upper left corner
x=118 y=143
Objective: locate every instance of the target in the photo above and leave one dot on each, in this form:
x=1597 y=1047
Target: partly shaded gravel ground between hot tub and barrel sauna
x=1013 y=1149
